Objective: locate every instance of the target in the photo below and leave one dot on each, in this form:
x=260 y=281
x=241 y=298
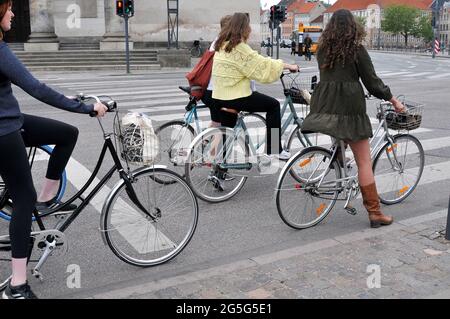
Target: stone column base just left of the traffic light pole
x=114 y=38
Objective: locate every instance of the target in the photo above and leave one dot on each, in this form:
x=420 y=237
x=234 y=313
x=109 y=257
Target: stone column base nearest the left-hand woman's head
x=43 y=37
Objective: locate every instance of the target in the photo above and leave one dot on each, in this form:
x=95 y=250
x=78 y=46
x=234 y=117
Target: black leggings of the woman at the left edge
x=15 y=171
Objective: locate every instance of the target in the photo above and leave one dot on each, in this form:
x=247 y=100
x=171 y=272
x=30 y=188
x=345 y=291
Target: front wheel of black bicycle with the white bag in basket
x=138 y=239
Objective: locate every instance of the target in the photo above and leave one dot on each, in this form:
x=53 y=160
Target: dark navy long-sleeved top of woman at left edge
x=13 y=71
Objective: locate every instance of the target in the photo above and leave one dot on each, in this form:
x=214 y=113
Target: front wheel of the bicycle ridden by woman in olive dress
x=397 y=176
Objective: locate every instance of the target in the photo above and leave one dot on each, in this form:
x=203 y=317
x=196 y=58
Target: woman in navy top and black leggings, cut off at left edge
x=18 y=131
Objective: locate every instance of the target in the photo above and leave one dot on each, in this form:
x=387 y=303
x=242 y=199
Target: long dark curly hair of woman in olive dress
x=341 y=39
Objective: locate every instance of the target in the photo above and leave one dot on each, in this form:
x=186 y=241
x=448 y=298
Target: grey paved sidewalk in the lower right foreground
x=410 y=259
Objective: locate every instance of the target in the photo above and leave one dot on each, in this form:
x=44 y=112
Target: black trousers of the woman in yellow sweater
x=257 y=102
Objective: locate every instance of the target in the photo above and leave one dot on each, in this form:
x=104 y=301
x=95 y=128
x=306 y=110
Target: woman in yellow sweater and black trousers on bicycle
x=235 y=65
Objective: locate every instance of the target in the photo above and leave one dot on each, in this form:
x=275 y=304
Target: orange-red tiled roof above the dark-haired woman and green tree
x=353 y=5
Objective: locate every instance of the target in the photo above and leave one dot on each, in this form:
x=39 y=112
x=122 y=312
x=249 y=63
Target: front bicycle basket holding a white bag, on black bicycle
x=138 y=143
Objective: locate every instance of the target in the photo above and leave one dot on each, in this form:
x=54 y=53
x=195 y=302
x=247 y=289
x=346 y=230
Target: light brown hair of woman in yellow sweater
x=237 y=30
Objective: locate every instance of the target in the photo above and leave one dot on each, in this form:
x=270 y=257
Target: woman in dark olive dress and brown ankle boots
x=338 y=106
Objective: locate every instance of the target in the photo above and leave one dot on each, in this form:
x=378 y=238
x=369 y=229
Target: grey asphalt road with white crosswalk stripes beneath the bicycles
x=248 y=225
